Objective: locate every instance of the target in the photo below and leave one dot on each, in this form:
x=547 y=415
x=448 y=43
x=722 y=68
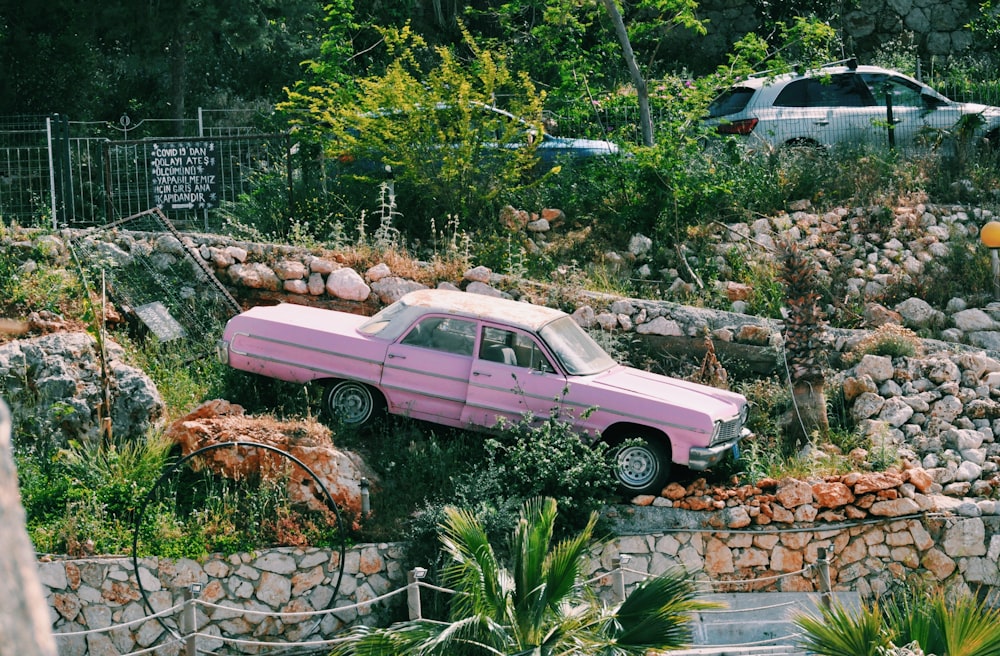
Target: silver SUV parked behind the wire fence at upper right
x=845 y=103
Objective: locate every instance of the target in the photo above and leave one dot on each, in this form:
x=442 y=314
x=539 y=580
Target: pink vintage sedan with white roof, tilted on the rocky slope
x=473 y=361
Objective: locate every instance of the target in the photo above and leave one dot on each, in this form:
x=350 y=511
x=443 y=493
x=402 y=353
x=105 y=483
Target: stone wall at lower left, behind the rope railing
x=99 y=593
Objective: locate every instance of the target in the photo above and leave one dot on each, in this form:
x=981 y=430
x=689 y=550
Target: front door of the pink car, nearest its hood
x=512 y=379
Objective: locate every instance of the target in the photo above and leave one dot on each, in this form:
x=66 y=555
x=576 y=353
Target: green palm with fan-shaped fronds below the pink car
x=538 y=606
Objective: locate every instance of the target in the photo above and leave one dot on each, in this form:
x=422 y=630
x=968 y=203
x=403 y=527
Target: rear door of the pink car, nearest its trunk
x=426 y=372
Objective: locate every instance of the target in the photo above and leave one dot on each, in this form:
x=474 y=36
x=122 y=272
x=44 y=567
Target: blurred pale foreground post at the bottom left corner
x=25 y=622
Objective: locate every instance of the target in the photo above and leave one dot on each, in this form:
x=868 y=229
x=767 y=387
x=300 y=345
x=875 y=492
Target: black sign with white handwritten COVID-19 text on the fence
x=185 y=175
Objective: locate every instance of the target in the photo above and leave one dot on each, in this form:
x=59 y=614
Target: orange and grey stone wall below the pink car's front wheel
x=880 y=529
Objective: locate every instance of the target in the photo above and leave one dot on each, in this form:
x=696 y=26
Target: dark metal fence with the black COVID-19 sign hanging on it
x=78 y=174
